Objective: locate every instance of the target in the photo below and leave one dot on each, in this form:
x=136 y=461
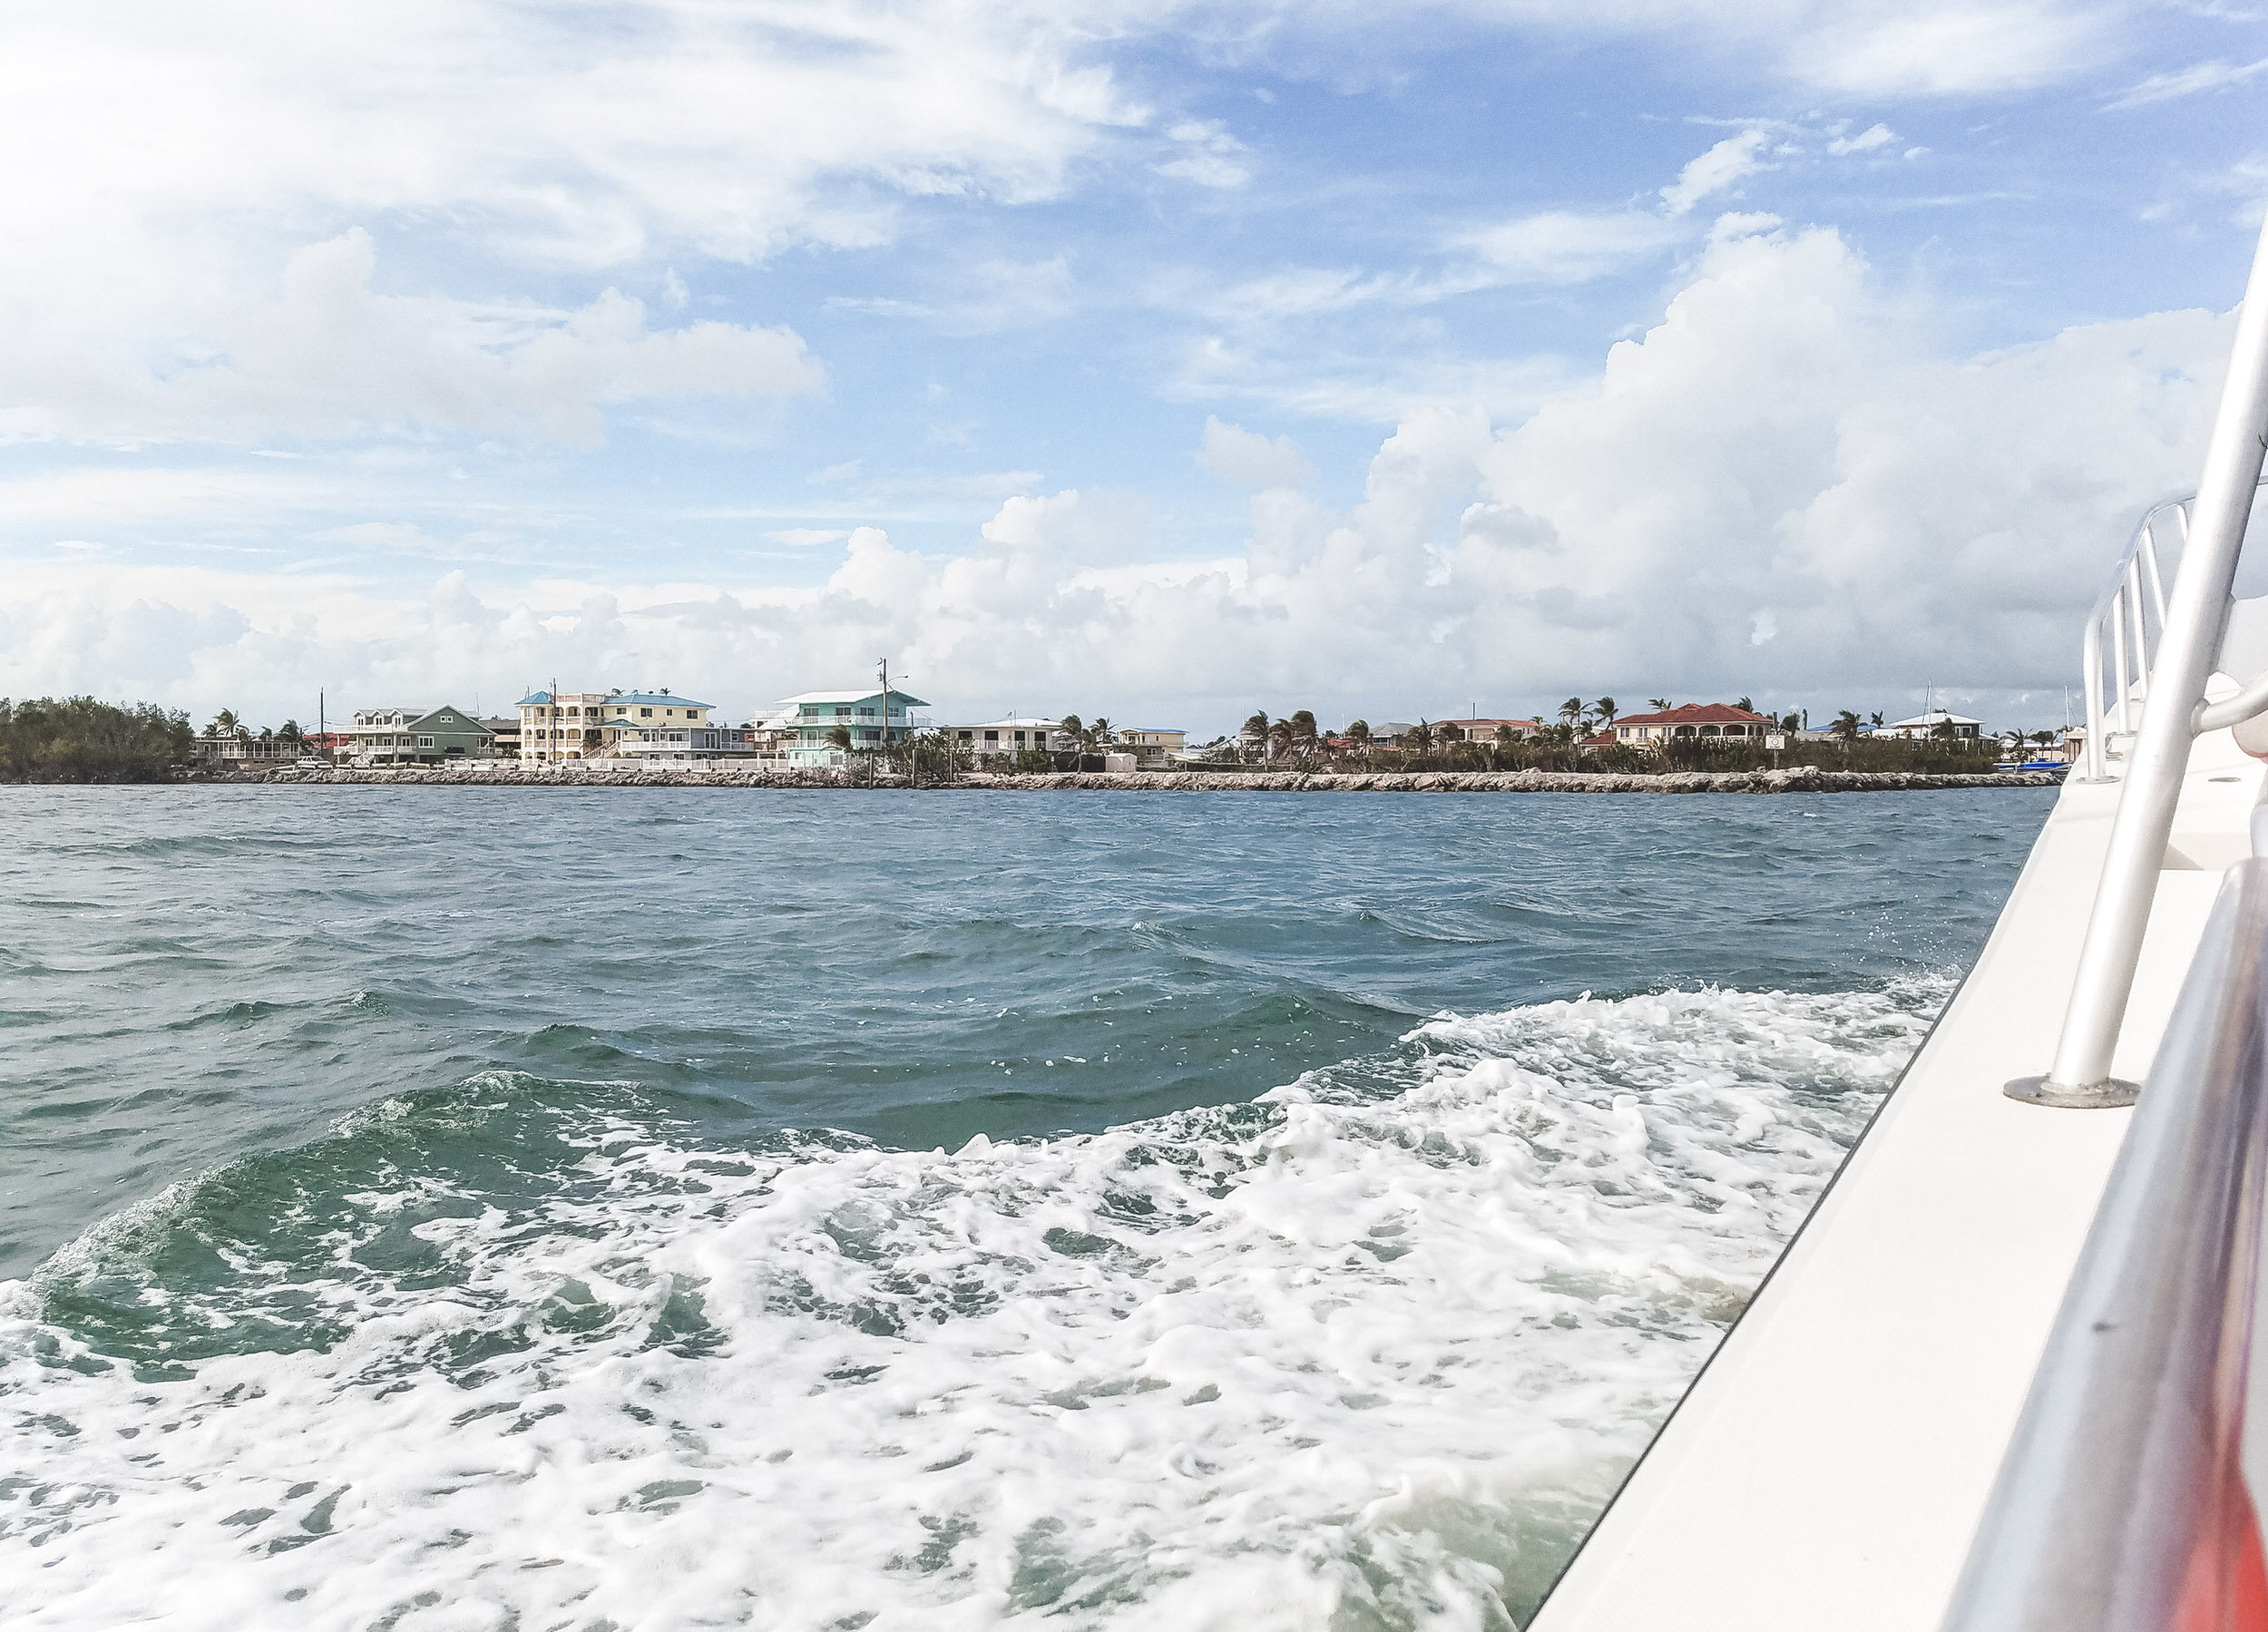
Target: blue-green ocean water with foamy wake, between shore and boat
x=604 y=1209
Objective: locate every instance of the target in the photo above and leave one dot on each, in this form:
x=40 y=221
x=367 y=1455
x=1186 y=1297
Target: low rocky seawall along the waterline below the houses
x=1793 y=781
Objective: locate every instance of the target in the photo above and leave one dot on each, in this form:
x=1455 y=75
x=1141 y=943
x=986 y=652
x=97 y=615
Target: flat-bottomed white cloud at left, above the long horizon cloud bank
x=332 y=357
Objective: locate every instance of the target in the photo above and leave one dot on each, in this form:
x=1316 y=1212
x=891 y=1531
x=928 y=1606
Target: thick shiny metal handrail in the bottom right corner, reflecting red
x=2122 y=1504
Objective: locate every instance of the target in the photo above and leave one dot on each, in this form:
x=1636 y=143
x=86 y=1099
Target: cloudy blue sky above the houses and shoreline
x=1156 y=362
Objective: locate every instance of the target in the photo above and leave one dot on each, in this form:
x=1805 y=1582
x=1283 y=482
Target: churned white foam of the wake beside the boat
x=1355 y=1359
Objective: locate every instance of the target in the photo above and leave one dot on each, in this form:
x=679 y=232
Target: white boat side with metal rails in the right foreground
x=1999 y=1379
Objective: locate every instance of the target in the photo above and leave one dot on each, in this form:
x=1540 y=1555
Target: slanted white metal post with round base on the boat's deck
x=2158 y=758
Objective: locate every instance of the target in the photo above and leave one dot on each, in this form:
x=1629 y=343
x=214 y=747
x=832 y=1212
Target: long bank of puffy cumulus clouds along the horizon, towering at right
x=1786 y=488
